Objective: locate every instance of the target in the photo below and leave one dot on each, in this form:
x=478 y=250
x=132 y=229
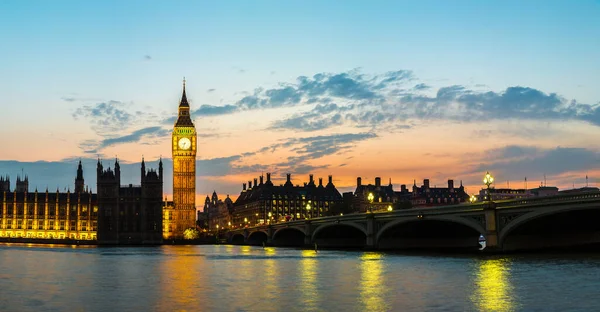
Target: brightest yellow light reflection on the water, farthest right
x=493 y=291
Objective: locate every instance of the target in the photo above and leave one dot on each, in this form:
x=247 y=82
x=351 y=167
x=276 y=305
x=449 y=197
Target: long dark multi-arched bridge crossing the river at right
x=532 y=223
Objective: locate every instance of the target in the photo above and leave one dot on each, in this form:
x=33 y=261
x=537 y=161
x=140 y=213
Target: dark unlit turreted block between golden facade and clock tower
x=129 y=214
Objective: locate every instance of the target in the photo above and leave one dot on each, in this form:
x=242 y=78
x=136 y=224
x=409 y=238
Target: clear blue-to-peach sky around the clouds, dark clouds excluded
x=61 y=56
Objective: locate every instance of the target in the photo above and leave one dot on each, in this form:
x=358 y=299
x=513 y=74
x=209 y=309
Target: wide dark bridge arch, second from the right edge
x=422 y=233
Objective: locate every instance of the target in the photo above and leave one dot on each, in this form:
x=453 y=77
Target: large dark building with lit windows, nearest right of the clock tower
x=264 y=203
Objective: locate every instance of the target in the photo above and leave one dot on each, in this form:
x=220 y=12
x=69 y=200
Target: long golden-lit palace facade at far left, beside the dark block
x=48 y=215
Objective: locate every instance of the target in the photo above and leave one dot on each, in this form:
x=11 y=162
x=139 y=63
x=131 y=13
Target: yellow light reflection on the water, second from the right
x=371 y=291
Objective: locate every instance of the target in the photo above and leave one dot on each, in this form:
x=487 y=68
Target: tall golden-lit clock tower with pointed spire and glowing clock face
x=184 y=172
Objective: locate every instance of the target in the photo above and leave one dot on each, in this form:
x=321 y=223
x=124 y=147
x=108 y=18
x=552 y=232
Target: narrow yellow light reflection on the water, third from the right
x=308 y=277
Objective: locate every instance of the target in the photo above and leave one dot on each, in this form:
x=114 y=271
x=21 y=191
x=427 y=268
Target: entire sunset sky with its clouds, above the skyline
x=402 y=90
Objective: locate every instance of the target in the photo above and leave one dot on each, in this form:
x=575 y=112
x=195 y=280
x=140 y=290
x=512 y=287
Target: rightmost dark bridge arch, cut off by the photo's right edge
x=554 y=226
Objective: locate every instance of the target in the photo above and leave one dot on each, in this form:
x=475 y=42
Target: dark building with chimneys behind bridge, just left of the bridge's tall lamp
x=426 y=195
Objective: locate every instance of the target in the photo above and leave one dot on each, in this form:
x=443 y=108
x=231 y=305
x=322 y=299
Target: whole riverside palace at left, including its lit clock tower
x=117 y=214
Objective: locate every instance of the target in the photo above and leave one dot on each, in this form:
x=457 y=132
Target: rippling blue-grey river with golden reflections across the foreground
x=243 y=278
